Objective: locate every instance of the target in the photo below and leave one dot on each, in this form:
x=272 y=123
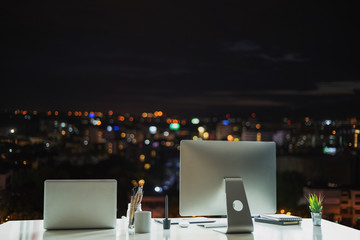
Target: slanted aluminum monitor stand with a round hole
x=238 y=212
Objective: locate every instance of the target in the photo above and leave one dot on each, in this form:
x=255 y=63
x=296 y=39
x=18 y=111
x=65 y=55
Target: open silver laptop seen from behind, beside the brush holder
x=78 y=204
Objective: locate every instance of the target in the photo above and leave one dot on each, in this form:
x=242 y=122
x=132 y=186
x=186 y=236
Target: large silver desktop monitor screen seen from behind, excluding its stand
x=205 y=166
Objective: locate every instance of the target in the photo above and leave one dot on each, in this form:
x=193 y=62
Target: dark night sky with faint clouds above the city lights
x=181 y=57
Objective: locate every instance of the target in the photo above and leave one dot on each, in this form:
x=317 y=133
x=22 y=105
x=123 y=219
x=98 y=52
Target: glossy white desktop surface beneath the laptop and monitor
x=33 y=230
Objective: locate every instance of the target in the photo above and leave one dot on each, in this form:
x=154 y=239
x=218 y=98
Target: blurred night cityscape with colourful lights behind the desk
x=313 y=155
